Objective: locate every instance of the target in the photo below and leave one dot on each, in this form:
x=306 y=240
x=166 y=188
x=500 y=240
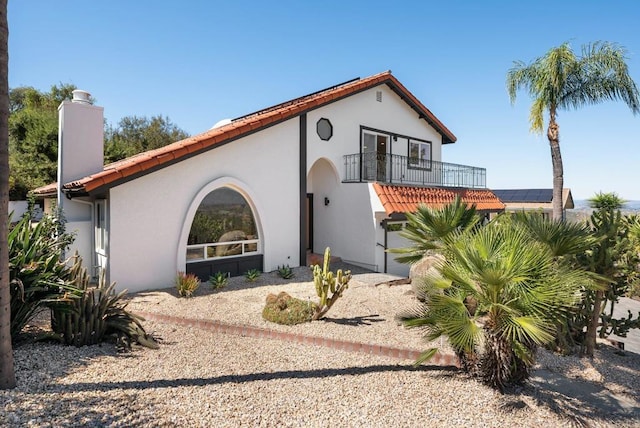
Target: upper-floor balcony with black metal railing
x=396 y=169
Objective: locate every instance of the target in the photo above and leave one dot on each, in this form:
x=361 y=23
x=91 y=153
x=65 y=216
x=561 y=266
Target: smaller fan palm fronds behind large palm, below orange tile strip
x=427 y=228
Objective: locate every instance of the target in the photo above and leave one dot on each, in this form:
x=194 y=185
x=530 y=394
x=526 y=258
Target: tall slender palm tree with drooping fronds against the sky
x=562 y=80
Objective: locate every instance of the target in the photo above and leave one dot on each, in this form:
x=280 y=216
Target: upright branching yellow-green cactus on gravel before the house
x=329 y=286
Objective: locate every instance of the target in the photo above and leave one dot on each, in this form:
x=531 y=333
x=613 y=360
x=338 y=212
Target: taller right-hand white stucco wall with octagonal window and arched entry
x=350 y=225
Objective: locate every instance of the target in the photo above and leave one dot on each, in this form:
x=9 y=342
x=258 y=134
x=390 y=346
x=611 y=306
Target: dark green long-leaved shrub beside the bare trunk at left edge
x=37 y=274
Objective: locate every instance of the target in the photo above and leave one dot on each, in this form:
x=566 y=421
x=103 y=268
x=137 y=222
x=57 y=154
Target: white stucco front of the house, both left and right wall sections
x=150 y=216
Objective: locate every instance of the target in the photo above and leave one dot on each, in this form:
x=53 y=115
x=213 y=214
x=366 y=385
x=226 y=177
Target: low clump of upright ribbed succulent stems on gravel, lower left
x=96 y=313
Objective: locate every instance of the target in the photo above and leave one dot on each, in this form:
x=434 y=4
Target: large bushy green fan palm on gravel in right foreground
x=498 y=295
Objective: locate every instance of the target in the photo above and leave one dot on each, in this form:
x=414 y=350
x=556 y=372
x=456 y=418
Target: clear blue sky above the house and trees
x=201 y=61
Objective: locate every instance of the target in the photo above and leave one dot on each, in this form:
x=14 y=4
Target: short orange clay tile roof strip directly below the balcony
x=403 y=199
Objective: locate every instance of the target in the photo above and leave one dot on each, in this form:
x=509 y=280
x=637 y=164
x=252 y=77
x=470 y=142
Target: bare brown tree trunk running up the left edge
x=7 y=374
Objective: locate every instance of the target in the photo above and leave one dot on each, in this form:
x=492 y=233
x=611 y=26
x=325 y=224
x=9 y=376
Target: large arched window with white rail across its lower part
x=223 y=226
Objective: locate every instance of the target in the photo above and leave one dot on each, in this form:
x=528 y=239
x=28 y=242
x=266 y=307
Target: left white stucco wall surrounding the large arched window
x=148 y=216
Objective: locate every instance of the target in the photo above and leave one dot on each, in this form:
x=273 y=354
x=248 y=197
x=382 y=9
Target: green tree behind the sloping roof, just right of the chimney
x=138 y=134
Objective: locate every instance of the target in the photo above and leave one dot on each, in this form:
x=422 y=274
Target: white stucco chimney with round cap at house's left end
x=80 y=138
